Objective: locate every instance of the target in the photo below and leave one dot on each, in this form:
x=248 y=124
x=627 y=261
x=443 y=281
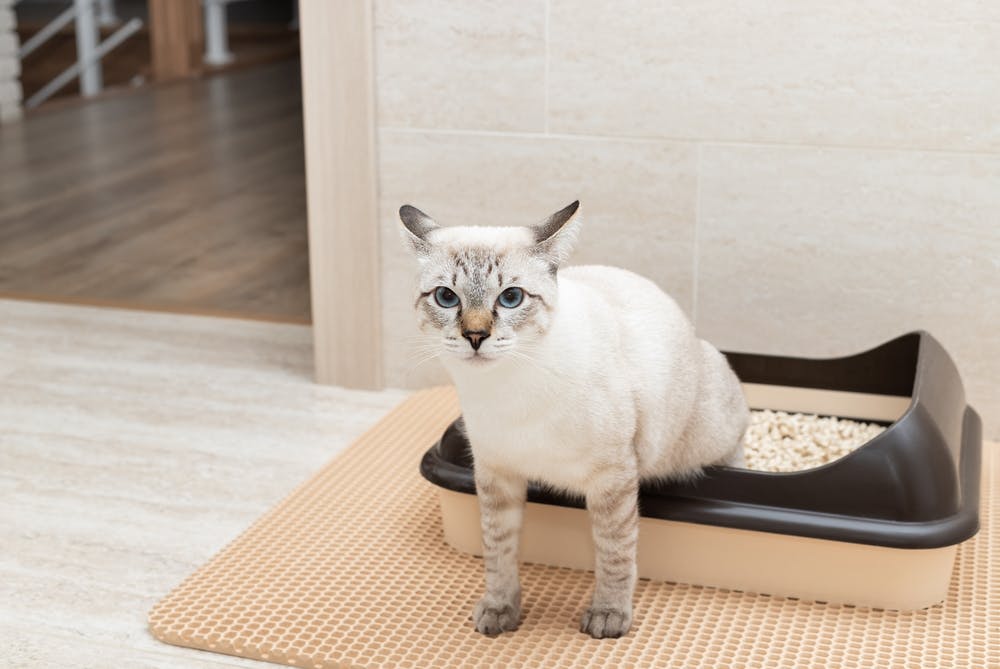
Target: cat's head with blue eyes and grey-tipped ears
x=487 y=293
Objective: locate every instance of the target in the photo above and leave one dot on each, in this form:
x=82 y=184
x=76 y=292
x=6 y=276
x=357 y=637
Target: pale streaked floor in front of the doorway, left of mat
x=134 y=445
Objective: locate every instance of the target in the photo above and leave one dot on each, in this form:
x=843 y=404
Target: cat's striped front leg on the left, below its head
x=501 y=506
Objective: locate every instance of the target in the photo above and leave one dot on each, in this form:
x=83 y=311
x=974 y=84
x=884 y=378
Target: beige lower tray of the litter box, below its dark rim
x=813 y=569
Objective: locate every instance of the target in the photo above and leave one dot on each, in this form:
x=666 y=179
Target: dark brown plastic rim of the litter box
x=725 y=496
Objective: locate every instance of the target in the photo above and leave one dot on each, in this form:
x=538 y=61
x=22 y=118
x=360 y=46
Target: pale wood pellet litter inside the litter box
x=777 y=441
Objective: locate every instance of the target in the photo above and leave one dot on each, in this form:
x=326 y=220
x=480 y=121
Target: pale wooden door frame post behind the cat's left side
x=338 y=103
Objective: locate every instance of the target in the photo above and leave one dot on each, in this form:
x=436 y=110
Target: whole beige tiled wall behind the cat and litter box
x=804 y=177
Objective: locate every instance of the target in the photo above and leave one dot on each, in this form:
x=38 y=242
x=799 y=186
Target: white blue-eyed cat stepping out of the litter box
x=586 y=379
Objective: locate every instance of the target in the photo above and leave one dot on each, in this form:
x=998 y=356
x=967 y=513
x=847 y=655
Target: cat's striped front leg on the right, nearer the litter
x=614 y=515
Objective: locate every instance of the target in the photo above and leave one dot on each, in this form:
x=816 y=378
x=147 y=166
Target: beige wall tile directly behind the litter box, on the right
x=822 y=252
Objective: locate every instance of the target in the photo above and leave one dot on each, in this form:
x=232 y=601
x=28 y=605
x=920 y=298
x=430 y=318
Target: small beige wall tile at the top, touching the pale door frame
x=465 y=65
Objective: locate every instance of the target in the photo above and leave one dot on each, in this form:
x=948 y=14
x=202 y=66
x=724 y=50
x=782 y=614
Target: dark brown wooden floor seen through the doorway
x=188 y=196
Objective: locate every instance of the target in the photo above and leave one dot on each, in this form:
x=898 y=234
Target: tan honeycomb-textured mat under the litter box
x=351 y=570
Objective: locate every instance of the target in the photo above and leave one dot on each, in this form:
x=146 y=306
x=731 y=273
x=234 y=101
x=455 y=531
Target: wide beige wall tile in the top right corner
x=896 y=73
